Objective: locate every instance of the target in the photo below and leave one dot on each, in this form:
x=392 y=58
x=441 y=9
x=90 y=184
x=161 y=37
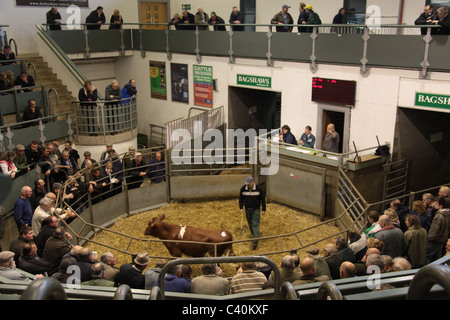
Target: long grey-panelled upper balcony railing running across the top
x=391 y=46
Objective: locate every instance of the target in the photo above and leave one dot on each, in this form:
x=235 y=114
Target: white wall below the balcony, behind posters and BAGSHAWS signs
x=374 y=114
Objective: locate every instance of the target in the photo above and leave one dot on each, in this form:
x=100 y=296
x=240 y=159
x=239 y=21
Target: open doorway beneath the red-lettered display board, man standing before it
x=340 y=117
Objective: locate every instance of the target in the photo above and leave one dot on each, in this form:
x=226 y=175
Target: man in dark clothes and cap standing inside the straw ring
x=252 y=197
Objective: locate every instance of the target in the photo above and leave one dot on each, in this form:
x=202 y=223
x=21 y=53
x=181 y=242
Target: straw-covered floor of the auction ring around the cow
x=280 y=224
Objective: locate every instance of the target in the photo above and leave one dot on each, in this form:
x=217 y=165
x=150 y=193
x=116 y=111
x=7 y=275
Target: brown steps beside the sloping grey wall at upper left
x=46 y=76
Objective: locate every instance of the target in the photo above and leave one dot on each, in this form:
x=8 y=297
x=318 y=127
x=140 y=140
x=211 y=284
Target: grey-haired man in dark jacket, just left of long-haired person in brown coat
x=392 y=237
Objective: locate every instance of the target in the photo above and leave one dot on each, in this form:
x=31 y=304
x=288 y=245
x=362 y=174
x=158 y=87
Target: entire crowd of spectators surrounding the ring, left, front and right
x=399 y=238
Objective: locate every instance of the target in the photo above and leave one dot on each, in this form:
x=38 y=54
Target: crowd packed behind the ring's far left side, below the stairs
x=101 y=178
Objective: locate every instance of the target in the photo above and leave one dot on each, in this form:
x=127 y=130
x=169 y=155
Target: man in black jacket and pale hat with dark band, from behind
x=132 y=274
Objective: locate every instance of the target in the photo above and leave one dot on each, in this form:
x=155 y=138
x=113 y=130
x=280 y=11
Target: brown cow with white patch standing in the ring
x=167 y=231
